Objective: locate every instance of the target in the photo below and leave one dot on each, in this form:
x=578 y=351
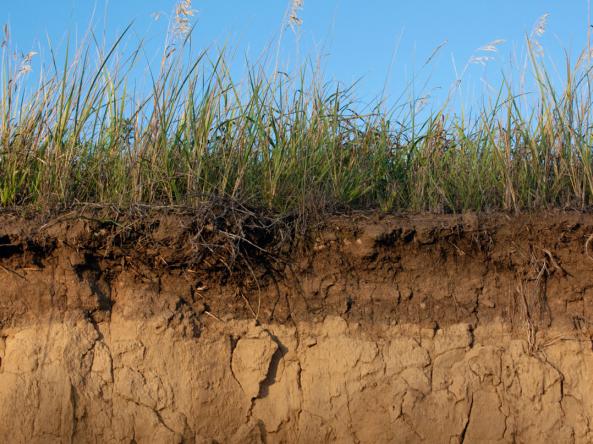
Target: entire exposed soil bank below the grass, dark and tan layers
x=176 y=328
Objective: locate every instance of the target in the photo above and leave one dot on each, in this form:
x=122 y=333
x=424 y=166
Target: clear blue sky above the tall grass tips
x=356 y=39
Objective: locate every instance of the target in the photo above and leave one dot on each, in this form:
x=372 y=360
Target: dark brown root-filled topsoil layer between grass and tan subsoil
x=216 y=264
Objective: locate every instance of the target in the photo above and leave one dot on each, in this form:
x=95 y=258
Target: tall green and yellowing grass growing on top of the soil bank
x=285 y=143
